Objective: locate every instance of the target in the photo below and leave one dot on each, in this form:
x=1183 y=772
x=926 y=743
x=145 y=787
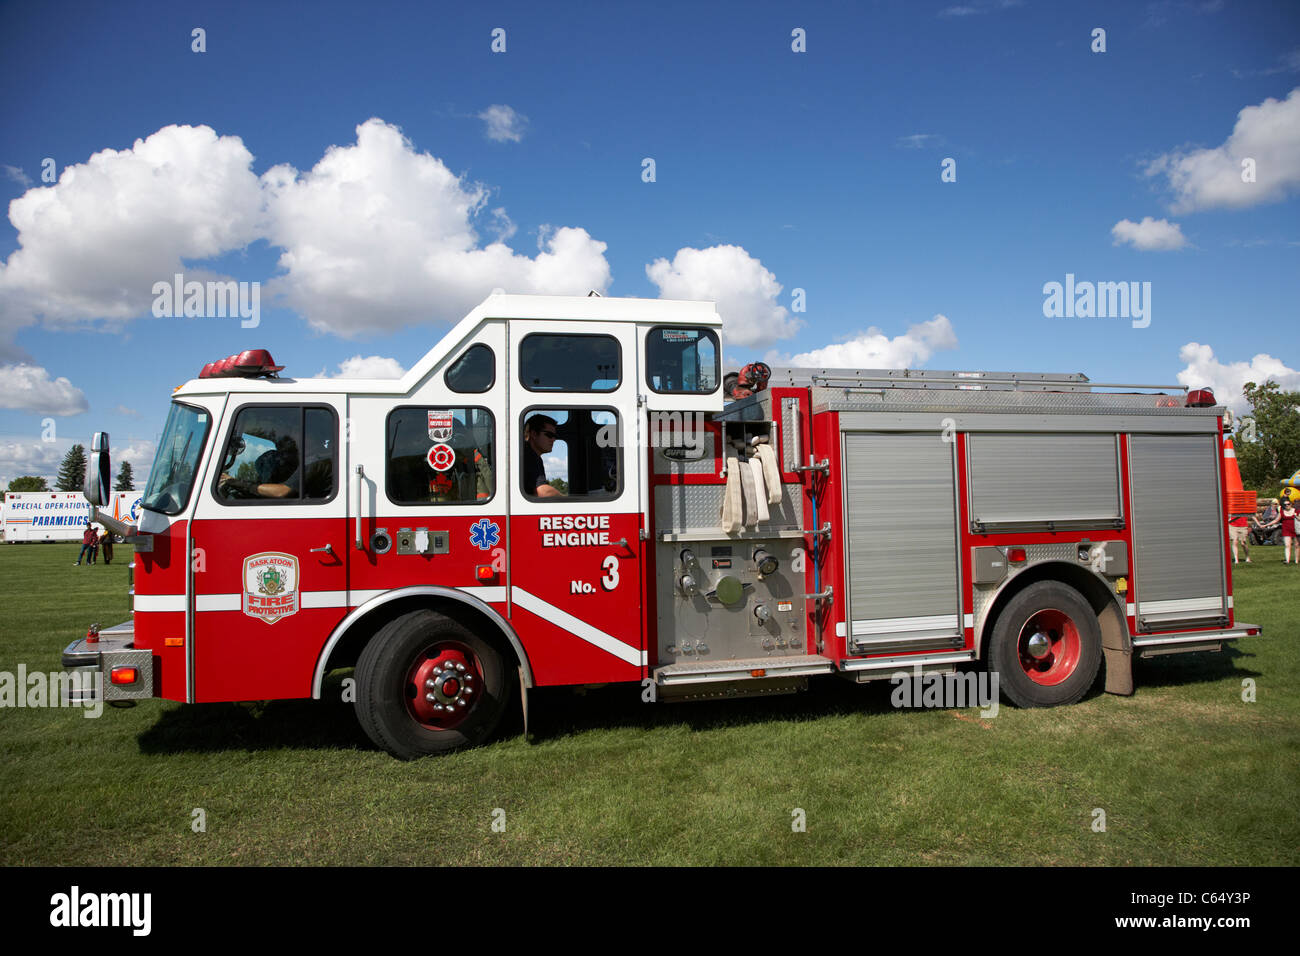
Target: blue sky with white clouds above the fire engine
x=775 y=171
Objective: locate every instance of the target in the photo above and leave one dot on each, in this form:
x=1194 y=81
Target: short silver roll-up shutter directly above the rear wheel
x=1035 y=478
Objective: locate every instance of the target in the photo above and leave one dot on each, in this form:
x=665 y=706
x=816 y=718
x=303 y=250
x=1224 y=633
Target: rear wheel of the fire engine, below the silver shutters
x=1046 y=647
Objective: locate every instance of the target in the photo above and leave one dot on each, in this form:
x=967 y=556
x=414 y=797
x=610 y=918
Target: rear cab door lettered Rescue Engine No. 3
x=577 y=552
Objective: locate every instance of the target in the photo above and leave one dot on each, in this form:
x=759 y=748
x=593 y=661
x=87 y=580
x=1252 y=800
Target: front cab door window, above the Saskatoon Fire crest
x=280 y=455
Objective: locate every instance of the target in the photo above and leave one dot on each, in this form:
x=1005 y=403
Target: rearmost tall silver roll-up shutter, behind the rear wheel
x=1178 y=531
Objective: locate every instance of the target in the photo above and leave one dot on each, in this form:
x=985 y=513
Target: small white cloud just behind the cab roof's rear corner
x=744 y=291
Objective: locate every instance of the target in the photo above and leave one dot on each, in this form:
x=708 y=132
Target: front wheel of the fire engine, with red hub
x=428 y=685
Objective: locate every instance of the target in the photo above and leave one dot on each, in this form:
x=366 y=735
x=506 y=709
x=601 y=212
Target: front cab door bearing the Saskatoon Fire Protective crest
x=270 y=551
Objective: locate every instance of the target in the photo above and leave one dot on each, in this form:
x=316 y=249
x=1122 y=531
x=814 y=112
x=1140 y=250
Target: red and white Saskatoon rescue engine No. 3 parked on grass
x=566 y=492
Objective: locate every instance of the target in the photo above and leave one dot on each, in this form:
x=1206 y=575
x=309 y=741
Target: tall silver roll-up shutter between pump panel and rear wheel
x=902 y=542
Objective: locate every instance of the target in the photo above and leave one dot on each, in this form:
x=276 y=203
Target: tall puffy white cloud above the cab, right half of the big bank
x=378 y=236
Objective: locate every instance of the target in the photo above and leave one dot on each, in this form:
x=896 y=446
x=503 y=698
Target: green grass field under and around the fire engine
x=1186 y=772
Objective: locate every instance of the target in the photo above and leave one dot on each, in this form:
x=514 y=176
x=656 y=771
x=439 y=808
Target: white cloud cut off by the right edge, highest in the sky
x=1266 y=140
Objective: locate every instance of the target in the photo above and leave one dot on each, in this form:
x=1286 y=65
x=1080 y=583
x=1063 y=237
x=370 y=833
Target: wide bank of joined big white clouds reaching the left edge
x=375 y=236
